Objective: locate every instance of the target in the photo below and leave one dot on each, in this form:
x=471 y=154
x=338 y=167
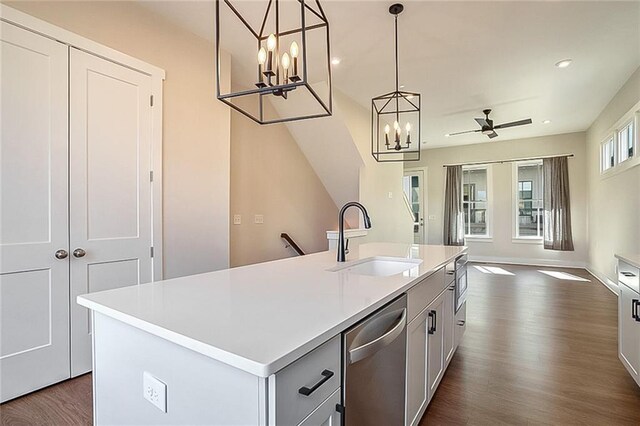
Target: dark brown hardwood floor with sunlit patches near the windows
x=538 y=350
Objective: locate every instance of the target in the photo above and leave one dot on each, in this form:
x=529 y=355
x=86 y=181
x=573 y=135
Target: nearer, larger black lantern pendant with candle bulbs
x=288 y=43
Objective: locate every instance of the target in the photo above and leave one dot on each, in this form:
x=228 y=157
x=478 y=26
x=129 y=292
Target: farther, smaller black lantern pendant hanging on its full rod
x=397 y=110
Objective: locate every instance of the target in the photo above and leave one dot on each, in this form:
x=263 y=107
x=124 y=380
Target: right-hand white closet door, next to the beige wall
x=110 y=199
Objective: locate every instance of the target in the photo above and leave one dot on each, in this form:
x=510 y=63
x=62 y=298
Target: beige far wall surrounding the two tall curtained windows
x=501 y=191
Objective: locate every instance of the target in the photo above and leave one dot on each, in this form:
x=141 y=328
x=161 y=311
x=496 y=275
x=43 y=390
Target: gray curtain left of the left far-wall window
x=453 y=233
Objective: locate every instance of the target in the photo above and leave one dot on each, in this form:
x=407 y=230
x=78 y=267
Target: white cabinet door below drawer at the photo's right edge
x=629 y=330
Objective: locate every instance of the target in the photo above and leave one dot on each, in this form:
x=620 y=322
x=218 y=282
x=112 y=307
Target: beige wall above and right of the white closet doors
x=196 y=126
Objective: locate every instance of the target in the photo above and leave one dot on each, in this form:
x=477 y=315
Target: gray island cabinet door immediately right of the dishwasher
x=416 y=368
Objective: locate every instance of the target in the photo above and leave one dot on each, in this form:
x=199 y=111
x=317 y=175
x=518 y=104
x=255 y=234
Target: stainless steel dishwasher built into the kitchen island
x=374 y=360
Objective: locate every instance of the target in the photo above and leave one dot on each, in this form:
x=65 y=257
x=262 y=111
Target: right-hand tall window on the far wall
x=529 y=200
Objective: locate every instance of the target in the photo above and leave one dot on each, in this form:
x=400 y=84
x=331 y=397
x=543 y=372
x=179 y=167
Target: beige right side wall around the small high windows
x=614 y=201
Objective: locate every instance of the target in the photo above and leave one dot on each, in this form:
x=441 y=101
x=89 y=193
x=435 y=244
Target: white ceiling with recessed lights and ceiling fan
x=466 y=56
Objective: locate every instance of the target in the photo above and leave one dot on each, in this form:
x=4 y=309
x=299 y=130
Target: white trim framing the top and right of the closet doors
x=45 y=29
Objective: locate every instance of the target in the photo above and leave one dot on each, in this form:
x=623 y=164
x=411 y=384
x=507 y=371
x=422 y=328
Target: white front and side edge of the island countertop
x=241 y=362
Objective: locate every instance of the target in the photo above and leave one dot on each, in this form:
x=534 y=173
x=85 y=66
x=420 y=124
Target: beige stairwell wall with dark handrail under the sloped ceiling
x=271 y=176
